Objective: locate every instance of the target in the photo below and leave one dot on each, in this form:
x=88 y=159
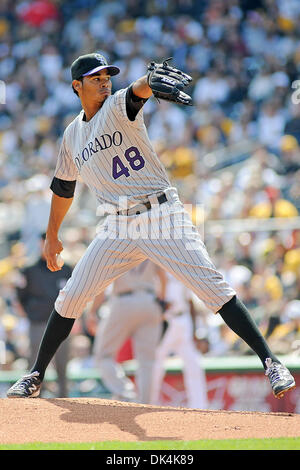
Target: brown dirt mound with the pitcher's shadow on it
x=93 y=419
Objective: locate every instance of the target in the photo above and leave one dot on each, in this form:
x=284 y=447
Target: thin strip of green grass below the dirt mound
x=229 y=444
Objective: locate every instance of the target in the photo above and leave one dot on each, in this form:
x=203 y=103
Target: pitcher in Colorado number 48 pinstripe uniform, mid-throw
x=108 y=147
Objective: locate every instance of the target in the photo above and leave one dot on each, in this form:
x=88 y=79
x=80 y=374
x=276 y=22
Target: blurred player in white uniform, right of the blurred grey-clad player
x=179 y=340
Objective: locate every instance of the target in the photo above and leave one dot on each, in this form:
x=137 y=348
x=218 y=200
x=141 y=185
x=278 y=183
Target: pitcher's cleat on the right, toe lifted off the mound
x=281 y=379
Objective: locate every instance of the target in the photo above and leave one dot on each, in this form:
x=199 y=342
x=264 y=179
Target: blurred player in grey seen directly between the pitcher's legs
x=134 y=312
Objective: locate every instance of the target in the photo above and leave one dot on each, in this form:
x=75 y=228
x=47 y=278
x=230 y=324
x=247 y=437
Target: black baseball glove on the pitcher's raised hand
x=167 y=83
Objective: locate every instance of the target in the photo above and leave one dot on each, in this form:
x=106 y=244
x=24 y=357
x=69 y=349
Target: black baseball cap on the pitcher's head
x=91 y=63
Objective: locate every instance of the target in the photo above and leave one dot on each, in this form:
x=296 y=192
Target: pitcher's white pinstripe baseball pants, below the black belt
x=166 y=235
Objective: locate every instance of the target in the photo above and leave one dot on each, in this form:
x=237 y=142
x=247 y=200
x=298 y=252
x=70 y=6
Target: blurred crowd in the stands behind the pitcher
x=234 y=155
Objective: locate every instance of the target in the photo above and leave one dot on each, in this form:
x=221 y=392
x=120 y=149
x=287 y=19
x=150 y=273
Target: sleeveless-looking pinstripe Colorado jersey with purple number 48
x=112 y=154
